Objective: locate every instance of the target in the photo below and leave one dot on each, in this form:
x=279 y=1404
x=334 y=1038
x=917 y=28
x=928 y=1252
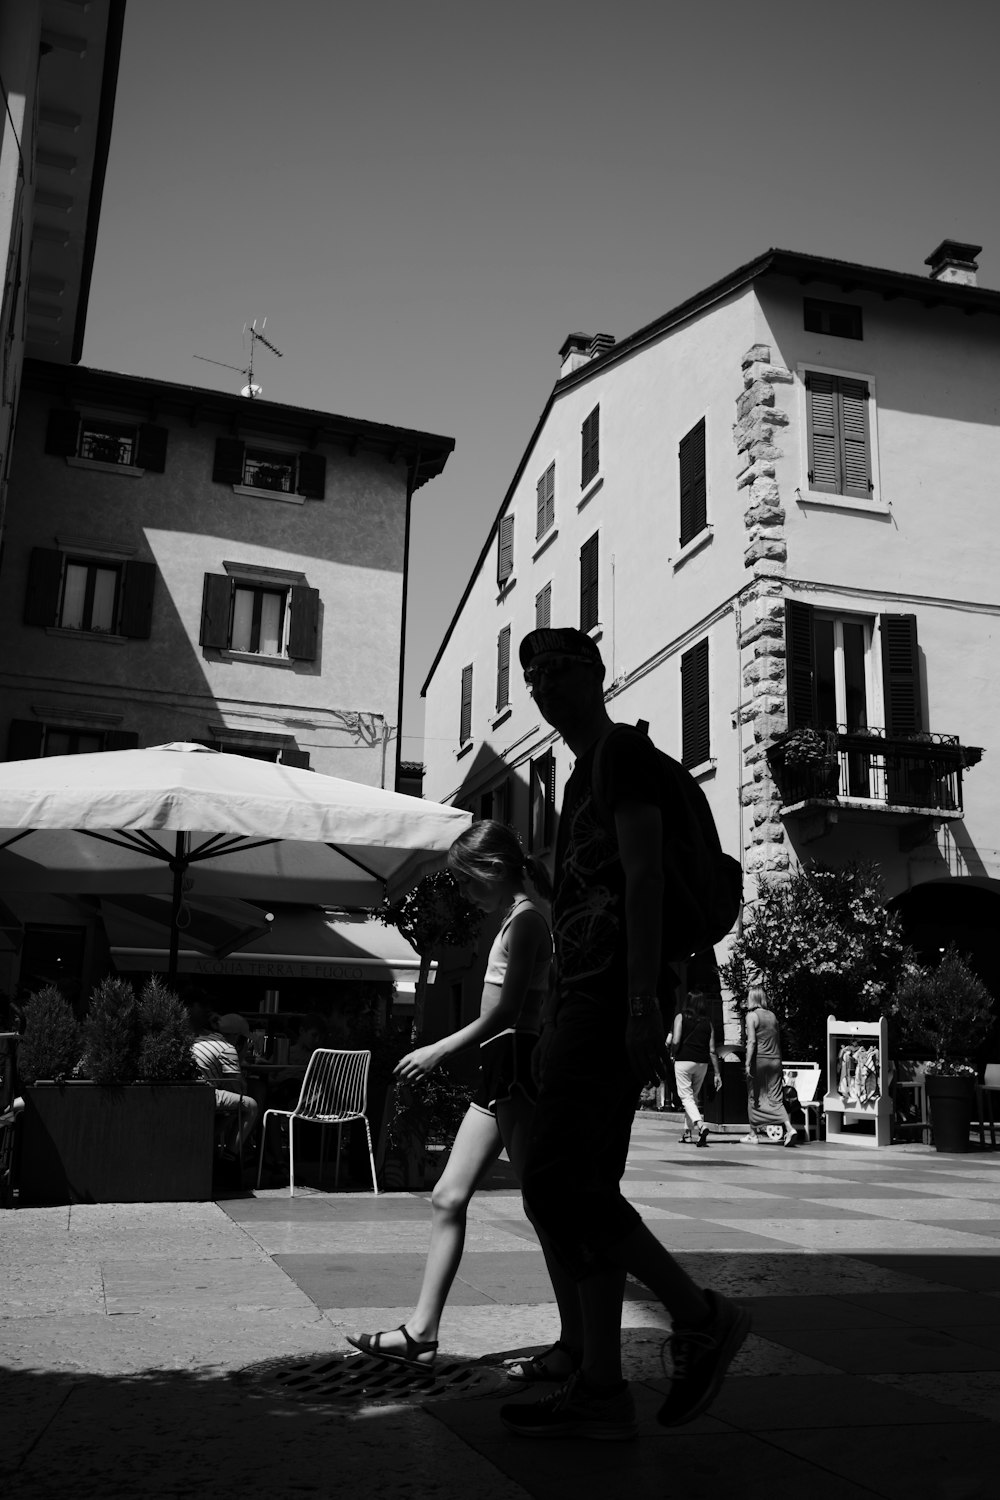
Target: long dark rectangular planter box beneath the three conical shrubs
x=143 y=1144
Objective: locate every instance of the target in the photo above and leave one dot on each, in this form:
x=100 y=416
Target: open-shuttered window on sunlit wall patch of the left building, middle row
x=260 y=616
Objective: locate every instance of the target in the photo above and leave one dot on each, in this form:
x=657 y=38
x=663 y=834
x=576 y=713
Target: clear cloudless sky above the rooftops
x=425 y=197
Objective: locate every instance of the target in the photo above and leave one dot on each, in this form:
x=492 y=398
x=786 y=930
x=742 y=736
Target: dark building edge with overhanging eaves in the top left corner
x=59 y=64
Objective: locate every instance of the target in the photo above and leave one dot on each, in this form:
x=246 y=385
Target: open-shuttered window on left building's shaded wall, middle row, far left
x=97 y=596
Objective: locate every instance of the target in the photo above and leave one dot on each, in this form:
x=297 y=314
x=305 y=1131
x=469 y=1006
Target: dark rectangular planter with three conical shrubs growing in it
x=115 y=1112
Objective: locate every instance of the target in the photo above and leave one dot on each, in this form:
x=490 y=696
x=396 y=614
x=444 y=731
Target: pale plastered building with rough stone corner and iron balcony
x=774 y=509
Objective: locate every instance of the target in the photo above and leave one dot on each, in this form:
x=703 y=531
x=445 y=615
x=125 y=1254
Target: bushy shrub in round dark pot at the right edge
x=950 y=1012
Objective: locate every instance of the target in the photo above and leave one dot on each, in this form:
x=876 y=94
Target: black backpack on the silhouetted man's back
x=702 y=886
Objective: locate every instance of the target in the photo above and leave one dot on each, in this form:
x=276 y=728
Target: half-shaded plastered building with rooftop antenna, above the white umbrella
x=185 y=565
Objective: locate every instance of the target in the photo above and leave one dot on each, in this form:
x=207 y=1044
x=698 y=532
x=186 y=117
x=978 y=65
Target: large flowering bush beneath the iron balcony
x=824 y=944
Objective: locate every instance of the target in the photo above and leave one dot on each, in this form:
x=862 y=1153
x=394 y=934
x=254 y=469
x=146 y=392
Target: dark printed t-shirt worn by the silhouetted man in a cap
x=588 y=907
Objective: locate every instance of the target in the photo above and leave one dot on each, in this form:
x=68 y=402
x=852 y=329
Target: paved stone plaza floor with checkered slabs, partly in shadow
x=157 y=1349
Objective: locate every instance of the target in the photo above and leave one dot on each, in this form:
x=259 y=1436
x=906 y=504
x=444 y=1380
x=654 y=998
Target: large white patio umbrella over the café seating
x=182 y=820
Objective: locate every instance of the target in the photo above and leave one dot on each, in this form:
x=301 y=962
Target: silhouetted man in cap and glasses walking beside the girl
x=603 y=1039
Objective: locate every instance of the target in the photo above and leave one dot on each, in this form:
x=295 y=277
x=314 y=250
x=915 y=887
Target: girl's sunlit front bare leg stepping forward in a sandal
x=476 y=1148
